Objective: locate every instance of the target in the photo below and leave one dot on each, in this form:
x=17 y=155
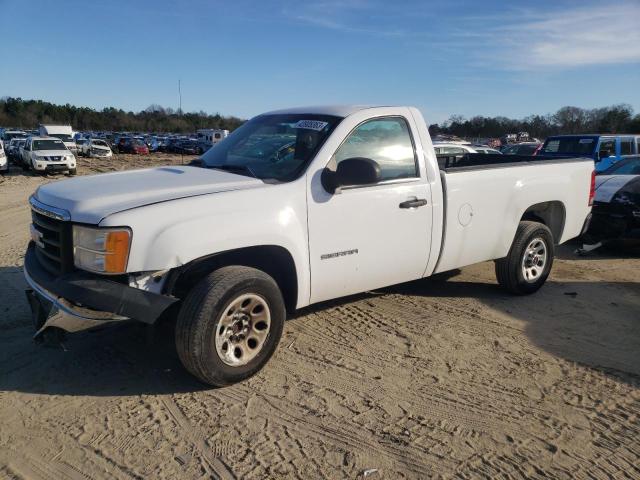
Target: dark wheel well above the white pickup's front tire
x=273 y=260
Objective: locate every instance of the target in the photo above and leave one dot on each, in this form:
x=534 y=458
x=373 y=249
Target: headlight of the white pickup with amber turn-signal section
x=101 y=250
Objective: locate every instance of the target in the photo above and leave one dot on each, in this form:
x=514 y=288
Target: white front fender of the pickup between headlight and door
x=170 y=234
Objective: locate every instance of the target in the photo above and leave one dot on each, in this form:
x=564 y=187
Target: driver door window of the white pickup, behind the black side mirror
x=388 y=142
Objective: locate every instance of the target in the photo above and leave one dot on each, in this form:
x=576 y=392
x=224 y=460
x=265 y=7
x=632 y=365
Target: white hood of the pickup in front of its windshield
x=90 y=199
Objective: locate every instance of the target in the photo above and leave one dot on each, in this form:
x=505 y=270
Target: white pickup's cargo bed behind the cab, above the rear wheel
x=486 y=196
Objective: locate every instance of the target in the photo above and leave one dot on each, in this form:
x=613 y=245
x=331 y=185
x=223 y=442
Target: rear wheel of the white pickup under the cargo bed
x=528 y=263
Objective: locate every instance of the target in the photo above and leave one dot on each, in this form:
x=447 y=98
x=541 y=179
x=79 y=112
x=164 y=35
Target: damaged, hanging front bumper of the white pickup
x=79 y=300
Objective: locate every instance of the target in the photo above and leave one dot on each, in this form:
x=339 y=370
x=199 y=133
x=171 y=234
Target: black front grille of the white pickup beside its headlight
x=54 y=249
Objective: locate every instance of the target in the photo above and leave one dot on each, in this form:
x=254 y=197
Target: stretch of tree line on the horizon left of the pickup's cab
x=28 y=114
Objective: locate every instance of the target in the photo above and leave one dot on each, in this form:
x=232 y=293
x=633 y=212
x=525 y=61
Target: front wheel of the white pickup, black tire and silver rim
x=205 y=314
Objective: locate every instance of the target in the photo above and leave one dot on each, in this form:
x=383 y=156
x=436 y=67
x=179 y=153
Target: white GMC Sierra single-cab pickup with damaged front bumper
x=293 y=208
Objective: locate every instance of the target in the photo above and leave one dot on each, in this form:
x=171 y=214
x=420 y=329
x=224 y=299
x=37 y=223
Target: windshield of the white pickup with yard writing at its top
x=274 y=147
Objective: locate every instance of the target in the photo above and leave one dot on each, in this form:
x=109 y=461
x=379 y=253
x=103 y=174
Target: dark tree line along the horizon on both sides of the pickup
x=19 y=113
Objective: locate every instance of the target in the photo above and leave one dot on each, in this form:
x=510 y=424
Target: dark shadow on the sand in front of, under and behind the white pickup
x=595 y=324
